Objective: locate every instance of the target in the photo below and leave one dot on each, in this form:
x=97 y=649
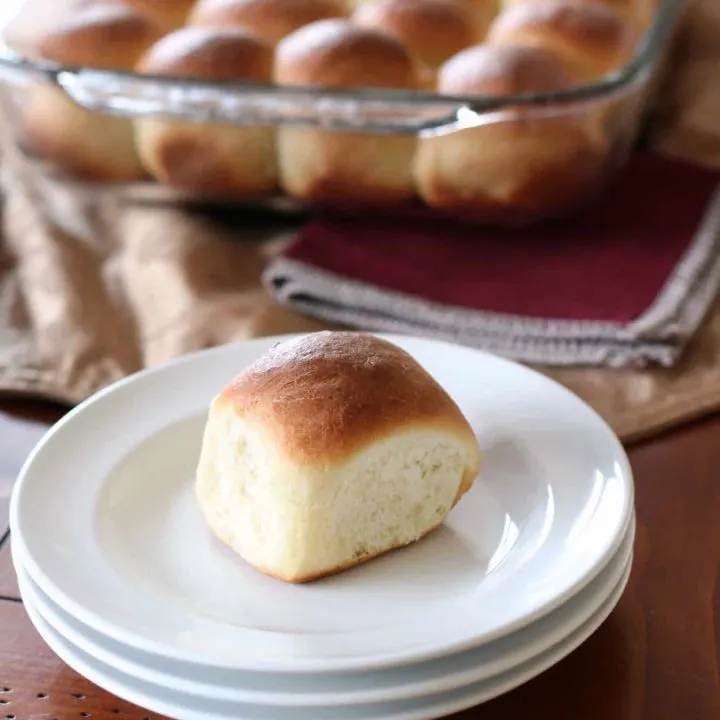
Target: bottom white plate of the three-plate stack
x=183 y=706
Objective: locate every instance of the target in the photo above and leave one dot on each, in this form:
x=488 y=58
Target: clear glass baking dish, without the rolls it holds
x=619 y=99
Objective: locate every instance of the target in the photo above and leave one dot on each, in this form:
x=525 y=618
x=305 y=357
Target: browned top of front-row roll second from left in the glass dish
x=210 y=54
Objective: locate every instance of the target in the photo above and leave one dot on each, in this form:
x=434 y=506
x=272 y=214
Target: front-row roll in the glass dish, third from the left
x=341 y=167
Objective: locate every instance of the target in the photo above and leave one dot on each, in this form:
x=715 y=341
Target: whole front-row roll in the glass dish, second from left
x=219 y=159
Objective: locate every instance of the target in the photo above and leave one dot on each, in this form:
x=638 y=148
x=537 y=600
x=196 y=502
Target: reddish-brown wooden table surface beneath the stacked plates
x=657 y=657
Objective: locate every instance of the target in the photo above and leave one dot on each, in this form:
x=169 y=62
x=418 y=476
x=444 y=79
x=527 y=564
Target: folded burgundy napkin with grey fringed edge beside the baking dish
x=626 y=284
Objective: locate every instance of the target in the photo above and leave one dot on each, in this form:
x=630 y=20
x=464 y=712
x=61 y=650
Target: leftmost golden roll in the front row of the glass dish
x=90 y=145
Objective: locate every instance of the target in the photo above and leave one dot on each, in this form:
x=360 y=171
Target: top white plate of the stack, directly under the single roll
x=130 y=555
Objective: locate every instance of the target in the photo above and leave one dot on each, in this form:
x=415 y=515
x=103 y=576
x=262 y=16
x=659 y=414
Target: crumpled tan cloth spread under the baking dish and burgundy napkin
x=92 y=290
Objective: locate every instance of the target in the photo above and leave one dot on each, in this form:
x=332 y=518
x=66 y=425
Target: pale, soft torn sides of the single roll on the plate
x=301 y=524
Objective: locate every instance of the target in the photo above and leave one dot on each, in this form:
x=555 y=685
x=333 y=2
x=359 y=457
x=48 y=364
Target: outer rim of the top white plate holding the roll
x=309 y=665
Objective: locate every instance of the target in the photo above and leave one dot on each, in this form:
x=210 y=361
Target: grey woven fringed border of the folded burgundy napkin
x=658 y=336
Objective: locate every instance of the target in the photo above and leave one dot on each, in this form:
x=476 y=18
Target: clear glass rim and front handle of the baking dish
x=385 y=111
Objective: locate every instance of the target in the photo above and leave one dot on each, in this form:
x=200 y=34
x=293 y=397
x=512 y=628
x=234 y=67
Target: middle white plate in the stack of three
x=391 y=684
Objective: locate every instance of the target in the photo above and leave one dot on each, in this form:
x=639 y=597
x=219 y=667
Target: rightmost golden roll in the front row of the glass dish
x=519 y=162
